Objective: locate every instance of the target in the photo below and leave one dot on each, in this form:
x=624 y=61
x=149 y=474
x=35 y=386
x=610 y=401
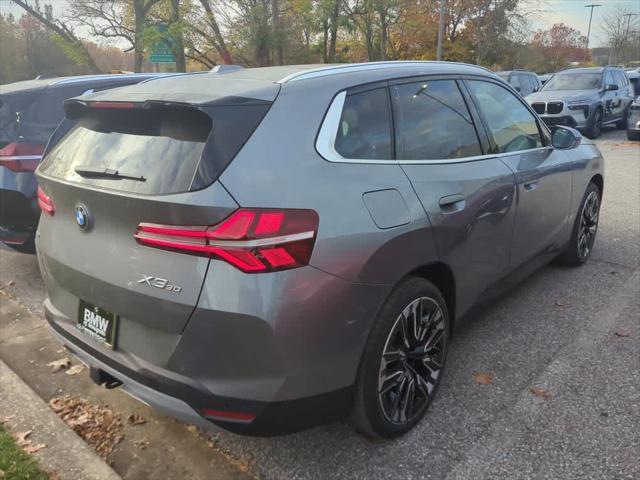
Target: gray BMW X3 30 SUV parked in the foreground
x=273 y=248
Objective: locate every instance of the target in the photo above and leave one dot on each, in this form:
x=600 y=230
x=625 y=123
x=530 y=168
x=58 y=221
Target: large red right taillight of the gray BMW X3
x=253 y=240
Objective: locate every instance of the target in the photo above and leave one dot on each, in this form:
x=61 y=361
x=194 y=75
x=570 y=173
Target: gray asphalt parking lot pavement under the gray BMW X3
x=555 y=332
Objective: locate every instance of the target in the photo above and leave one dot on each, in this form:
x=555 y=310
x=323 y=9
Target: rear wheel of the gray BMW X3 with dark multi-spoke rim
x=413 y=367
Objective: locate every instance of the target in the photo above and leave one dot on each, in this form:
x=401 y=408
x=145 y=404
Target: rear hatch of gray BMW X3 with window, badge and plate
x=126 y=164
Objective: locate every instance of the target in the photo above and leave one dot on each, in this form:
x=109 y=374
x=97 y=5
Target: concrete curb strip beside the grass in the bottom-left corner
x=66 y=453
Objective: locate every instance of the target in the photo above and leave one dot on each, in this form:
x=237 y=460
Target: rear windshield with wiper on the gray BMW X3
x=165 y=149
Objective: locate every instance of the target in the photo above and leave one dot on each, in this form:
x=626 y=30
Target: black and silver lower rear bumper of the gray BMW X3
x=186 y=399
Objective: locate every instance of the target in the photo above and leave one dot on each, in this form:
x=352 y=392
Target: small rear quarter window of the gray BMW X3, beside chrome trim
x=364 y=131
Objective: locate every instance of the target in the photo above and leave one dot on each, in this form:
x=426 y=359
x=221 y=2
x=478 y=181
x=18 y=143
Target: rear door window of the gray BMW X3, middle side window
x=432 y=122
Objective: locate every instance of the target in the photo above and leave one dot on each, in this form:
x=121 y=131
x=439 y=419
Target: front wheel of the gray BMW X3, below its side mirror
x=586 y=220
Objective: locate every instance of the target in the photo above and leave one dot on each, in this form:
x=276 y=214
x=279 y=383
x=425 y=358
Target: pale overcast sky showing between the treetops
x=570 y=12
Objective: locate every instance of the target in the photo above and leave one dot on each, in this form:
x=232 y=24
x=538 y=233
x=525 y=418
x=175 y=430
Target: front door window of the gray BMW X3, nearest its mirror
x=512 y=127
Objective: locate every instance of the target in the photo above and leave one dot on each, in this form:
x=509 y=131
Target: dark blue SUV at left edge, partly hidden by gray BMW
x=29 y=113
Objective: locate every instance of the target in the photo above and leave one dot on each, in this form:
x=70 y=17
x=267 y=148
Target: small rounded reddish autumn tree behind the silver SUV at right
x=559 y=46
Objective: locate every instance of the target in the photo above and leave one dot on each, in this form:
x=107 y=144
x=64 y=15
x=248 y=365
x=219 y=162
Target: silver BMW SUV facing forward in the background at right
x=585 y=98
